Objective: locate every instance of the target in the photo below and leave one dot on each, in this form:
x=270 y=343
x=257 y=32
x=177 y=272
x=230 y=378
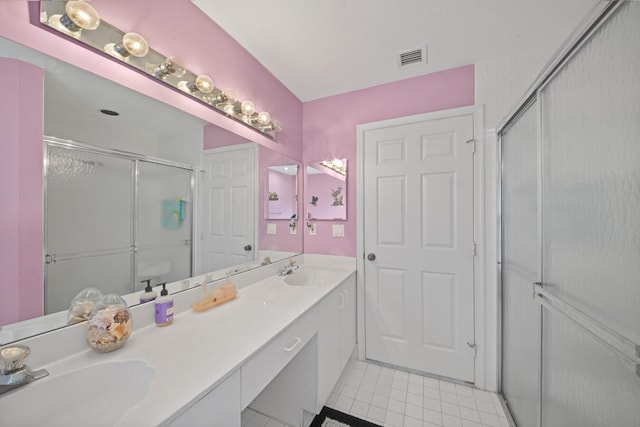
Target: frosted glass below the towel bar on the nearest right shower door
x=584 y=384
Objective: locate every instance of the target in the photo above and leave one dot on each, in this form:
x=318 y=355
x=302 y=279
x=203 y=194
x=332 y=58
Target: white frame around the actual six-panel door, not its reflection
x=480 y=363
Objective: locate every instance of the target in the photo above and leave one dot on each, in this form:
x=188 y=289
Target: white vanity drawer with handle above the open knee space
x=258 y=372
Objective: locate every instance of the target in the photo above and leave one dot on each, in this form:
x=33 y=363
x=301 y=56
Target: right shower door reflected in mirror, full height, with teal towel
x=164 y=226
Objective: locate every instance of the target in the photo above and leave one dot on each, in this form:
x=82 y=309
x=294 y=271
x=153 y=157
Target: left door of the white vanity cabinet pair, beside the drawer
x=329 y=345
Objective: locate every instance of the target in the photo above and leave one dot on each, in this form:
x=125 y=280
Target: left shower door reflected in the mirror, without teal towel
x=88 y=225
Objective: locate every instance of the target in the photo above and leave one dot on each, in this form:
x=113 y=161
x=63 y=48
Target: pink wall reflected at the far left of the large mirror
x=21 y=236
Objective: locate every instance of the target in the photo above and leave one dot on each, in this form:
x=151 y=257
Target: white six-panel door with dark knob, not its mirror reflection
x=419 y=248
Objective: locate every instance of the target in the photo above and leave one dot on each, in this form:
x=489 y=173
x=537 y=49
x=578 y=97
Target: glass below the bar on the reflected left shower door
x=109 y=273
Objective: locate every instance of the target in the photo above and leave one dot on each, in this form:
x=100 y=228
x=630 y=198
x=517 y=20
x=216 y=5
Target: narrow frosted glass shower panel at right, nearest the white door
x=520 y=268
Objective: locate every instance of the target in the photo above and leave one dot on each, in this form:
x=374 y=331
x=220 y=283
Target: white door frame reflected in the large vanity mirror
x=199 y=188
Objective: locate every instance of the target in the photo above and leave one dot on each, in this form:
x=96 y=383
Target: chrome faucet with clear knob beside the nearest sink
x=13 y=372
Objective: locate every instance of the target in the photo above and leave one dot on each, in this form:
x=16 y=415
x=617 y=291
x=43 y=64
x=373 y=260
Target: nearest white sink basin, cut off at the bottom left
x=98 y=395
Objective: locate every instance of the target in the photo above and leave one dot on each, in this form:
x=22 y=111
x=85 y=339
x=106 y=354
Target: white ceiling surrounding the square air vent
x=322 y=48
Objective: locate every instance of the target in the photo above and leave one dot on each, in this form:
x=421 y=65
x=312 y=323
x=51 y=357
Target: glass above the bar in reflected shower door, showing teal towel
x=164 y=204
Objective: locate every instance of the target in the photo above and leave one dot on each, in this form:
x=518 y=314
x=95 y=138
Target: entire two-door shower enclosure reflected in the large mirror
x=113 y=219
